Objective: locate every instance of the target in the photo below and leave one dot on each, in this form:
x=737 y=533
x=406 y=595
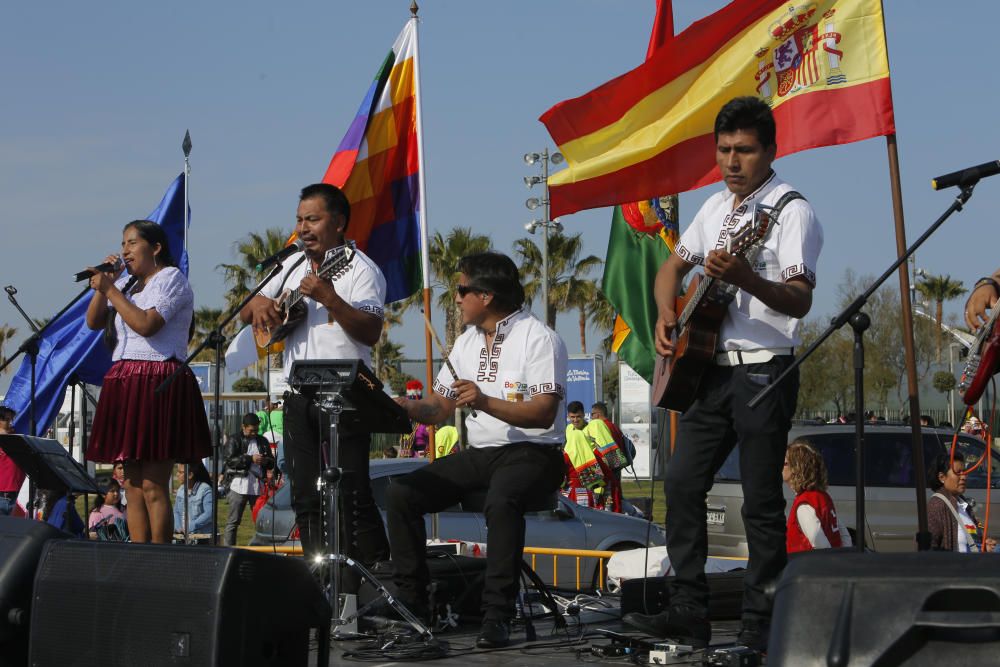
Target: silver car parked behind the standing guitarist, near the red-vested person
x=890 y=500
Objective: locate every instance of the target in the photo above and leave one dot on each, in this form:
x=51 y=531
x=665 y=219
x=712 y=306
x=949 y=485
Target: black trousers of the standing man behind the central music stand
x=306 y=433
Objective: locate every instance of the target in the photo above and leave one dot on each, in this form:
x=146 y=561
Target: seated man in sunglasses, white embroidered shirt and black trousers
x=512 y=372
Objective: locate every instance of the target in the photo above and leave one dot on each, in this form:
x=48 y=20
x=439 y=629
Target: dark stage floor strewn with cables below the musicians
x=581 y=641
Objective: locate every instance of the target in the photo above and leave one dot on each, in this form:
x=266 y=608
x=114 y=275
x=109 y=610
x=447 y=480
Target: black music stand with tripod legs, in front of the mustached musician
x=352 y=395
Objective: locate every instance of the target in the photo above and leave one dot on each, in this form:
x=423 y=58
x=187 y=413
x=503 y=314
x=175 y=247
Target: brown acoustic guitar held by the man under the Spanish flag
x=702 y=309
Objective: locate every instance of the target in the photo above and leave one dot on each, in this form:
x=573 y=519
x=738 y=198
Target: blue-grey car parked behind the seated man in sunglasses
x=569 y=526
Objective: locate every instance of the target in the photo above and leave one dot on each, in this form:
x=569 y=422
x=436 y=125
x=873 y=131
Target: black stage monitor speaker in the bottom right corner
x=929 y=608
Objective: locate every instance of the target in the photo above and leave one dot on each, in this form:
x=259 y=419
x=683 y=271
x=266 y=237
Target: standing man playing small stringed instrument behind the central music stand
x=343 y=320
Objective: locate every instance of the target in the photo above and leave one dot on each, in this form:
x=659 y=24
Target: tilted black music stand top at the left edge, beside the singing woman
x=48 y=464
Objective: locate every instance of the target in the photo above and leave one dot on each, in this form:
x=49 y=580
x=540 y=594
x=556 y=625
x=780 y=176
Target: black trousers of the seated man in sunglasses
x=512 y=474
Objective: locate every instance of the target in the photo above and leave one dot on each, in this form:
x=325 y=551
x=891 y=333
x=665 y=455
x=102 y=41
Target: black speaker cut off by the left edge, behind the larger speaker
x=21 y=544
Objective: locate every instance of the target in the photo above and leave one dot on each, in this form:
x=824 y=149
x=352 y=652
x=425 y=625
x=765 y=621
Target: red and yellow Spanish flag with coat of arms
x=822 y=66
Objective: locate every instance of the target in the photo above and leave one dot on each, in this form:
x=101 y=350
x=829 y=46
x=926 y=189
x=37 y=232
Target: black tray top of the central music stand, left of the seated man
x=367 y=408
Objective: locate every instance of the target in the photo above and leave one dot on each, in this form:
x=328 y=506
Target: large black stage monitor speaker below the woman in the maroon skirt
x=119 y=604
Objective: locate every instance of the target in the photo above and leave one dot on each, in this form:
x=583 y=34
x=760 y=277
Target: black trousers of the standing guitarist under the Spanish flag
x=718 y=420
